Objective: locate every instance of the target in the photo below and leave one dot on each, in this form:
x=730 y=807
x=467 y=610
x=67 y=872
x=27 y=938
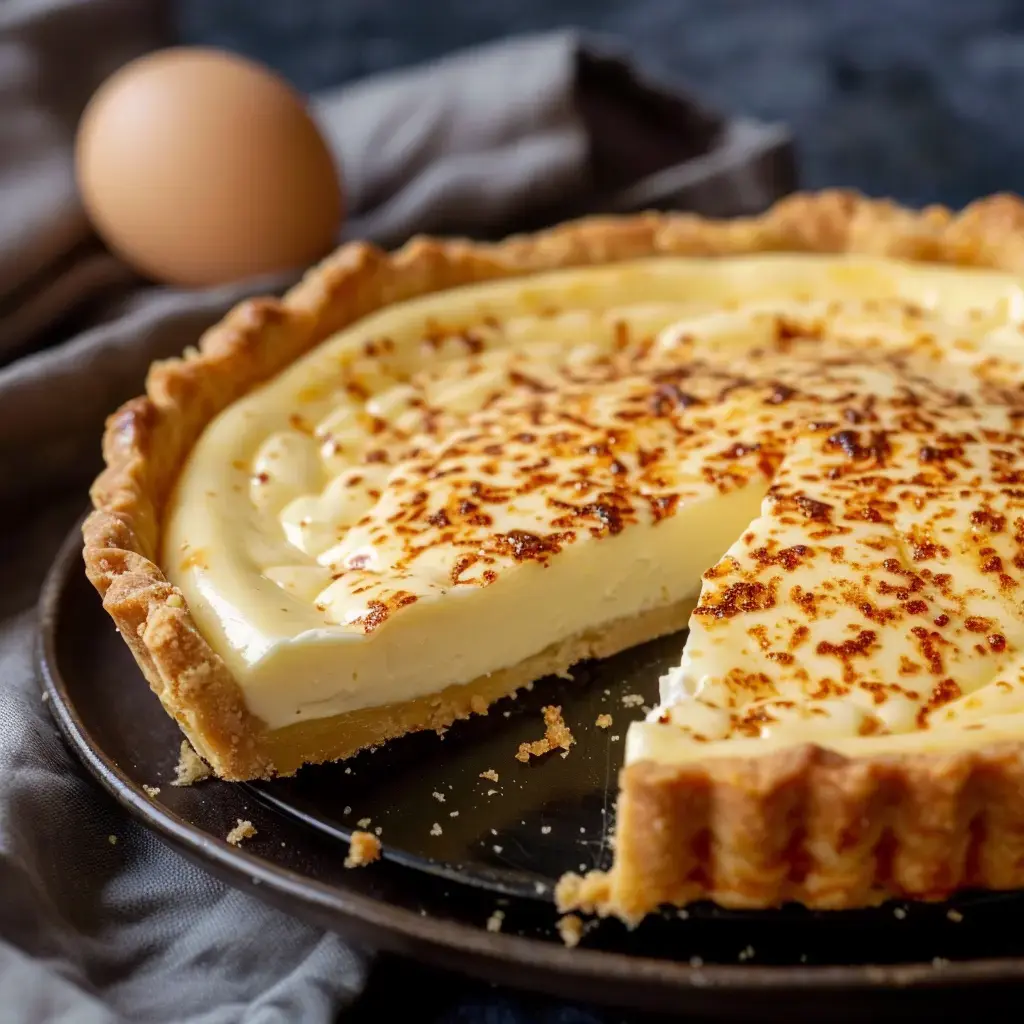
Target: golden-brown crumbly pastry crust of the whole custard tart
x=802 y=824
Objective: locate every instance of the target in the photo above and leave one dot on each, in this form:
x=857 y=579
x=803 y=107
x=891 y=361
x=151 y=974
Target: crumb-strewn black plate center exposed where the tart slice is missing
x=515 y=836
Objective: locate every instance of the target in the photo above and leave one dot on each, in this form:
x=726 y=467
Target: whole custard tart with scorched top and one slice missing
x=422 y=481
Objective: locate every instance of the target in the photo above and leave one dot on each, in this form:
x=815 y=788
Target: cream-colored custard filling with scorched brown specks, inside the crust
x=458 y=483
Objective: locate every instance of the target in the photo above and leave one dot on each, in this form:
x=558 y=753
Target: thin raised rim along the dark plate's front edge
x=399 y=927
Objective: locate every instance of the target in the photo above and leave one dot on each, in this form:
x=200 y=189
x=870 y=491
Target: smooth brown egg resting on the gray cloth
x=200 y=167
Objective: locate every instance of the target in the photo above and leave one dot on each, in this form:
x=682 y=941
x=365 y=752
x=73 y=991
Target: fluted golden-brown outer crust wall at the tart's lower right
x=808 y=826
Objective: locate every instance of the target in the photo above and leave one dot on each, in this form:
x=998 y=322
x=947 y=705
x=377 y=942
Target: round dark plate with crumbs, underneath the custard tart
x=502 y=845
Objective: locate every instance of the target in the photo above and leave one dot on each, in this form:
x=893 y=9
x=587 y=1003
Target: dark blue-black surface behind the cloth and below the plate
x=917 y=100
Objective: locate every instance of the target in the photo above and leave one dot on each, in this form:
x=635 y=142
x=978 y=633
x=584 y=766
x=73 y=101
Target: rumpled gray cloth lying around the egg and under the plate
x=483 y=144
